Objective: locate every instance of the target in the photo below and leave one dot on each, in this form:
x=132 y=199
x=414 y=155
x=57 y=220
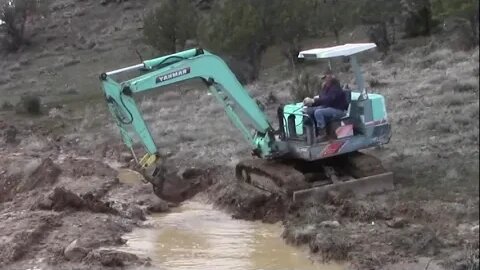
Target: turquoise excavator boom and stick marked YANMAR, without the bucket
x=175 y=68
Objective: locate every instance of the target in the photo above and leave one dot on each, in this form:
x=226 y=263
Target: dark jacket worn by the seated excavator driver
x=332 y=96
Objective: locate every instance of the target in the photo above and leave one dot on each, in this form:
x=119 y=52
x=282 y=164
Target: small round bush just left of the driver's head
x=305 y=85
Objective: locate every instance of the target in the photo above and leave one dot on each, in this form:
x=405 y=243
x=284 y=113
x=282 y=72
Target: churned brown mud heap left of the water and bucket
x=63 y=199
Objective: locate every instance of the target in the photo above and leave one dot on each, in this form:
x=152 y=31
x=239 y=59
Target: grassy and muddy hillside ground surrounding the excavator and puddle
x=59 y=170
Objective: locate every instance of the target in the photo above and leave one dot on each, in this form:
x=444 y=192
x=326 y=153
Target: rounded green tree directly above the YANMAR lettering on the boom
x=169 y=26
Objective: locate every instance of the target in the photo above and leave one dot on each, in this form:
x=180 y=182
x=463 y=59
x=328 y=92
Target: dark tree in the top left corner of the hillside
x=15 y=15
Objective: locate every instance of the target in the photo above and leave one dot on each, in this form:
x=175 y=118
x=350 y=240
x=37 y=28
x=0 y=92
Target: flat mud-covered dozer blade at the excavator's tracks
x=360 y=187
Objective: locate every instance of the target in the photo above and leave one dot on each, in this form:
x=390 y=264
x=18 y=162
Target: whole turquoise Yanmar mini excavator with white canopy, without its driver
x=289 y=161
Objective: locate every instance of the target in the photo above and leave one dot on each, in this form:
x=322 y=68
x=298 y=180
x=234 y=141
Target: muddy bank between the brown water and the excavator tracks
x=342 y=227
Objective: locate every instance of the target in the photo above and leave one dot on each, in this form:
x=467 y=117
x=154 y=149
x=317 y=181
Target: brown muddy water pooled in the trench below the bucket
x=196 y=236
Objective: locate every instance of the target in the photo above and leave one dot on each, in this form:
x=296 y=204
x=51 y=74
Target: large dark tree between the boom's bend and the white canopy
x=245 y=29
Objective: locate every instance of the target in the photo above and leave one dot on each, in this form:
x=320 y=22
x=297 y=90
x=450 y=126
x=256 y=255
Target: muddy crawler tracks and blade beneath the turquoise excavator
x=298 y=180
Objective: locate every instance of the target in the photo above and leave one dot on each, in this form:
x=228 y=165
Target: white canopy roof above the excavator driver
x=336 y=51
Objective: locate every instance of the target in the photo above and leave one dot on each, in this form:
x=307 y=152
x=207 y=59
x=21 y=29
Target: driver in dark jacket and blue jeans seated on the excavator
x=331 y=103
